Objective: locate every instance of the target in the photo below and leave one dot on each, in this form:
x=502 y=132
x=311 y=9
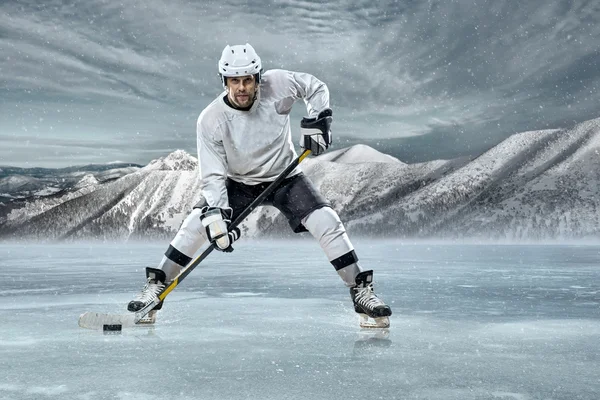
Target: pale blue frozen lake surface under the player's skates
x=273 y=321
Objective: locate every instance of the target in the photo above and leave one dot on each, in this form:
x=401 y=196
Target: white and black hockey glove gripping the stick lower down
x=216 y=221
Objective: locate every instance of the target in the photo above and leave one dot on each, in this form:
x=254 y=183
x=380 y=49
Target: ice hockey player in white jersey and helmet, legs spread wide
x=244 y=142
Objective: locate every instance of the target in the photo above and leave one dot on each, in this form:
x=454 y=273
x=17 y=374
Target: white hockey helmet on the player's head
x=239 y=60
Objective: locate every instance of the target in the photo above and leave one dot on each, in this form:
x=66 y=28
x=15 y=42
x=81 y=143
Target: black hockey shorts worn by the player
x=296 y=197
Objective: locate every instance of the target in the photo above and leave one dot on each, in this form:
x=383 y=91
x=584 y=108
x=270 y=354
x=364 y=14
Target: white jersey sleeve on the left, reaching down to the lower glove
x=212 y=162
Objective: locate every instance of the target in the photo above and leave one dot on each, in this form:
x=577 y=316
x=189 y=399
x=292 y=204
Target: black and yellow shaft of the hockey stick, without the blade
x=238 y=220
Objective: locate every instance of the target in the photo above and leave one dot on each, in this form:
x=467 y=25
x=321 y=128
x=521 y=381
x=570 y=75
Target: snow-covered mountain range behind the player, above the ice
x=534 y=185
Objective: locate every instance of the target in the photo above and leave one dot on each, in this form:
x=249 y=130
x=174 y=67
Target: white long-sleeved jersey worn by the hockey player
x=254 y=146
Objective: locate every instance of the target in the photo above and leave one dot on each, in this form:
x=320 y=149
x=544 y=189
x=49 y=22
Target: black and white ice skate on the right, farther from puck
x=373 y=312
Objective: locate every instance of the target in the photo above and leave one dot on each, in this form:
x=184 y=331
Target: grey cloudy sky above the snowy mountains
x=99 y=81
